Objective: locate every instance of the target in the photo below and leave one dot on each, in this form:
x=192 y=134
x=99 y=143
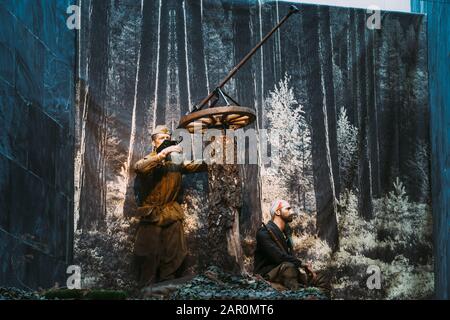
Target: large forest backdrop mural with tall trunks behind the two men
x=350 y=103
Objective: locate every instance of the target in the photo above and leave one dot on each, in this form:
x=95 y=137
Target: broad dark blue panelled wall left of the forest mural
x=37 y=57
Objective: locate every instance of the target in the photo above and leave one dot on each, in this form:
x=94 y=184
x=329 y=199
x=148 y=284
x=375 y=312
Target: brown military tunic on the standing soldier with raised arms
x=160 y=206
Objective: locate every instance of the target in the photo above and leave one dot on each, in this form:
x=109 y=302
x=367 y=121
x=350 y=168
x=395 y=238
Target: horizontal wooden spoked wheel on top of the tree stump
x=230 y=117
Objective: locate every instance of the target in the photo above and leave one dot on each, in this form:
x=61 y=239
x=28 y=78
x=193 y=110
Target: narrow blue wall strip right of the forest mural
x=439 y=65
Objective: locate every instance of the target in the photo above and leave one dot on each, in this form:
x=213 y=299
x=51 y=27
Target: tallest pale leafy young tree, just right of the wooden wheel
x=290 y=176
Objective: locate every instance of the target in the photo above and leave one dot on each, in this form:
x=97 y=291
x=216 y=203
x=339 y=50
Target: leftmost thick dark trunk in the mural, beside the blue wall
x=92 y=197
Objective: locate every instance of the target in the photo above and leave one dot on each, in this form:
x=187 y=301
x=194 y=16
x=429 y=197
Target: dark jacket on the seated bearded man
x=268 y=253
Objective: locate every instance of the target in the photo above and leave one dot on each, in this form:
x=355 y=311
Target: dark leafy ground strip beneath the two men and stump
x=213 y=284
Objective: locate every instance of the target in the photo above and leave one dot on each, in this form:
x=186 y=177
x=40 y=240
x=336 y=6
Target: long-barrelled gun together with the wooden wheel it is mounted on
x=232 y=116
